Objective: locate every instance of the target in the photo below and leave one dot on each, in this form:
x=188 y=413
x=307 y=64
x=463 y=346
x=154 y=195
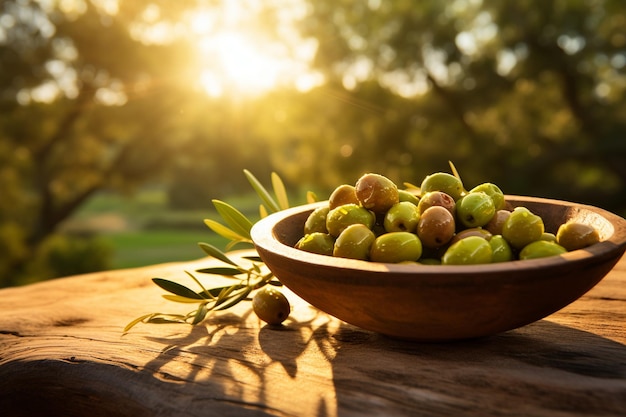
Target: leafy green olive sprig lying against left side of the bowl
x=236 y=228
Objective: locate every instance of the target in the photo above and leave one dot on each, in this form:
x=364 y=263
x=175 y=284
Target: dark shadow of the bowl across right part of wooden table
x=540 y=369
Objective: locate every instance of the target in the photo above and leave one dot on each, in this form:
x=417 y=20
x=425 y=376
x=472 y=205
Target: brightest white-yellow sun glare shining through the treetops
x=234 y=58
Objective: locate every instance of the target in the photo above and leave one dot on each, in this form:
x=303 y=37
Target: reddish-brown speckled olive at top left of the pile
x=376 y=192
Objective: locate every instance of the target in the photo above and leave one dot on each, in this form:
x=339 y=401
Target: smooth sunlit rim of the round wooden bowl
x=263 y=236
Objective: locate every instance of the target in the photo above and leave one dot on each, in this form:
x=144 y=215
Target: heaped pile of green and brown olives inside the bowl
x=438 y=223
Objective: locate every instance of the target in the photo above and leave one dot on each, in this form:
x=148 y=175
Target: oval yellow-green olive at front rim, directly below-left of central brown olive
x=395 y=247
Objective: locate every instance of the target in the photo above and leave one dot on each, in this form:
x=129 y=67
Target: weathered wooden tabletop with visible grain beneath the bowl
x=62 y=352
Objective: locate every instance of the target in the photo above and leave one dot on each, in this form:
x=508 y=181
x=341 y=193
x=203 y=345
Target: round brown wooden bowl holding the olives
x=437 y=302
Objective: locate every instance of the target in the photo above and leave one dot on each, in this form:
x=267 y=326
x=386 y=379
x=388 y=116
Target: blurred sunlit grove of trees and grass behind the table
x=121 y=120
